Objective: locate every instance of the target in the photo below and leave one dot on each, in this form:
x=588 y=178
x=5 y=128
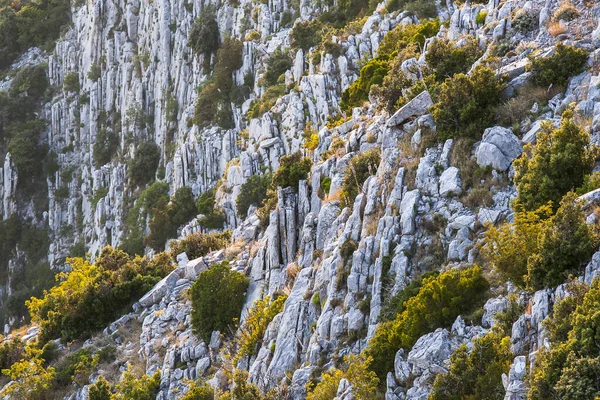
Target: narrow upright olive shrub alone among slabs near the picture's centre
x=361 y=167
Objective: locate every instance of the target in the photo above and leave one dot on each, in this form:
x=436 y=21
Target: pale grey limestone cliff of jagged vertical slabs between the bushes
x=138 y=79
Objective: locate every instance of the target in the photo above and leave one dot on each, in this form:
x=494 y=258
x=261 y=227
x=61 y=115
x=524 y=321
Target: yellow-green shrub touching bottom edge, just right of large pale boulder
x=476 y=373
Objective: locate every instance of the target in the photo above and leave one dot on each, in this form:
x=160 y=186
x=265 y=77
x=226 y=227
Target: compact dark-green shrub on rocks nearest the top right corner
x=566 y=62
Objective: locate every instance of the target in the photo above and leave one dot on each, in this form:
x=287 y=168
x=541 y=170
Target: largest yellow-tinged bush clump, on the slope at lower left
x=92 y=295
